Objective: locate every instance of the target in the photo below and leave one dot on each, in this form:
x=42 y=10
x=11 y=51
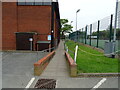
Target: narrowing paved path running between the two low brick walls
x=58 y=66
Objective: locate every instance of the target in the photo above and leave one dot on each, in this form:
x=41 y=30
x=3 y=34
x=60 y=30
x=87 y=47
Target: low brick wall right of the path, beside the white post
x=72 y=65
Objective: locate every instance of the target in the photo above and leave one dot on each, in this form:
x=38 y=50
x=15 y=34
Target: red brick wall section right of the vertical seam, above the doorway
x=35 y=19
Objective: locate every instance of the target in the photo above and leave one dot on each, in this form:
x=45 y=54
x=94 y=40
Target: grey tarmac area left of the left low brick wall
x=17 y=68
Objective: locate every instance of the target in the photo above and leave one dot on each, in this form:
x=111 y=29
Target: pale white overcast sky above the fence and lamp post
x=90 y=10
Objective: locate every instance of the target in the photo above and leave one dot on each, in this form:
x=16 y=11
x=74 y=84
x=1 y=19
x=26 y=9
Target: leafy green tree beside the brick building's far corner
x=65 y=27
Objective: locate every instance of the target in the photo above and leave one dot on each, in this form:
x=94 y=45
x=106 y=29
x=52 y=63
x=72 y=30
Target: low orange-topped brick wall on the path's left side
x=42 y=63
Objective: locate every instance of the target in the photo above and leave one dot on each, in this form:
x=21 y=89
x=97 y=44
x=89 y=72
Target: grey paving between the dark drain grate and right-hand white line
x=77 y=82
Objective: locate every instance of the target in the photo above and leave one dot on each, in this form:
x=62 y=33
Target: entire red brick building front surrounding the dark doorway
x=24 y=19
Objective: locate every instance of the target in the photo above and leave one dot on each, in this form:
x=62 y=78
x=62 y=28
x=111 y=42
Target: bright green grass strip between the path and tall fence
x=88 y=63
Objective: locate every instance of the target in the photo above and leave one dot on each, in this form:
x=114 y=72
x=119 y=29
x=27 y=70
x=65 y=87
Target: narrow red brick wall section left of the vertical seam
x=9 y=25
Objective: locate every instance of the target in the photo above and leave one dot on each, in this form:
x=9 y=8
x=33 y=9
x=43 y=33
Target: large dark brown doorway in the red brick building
x=22 y=41
